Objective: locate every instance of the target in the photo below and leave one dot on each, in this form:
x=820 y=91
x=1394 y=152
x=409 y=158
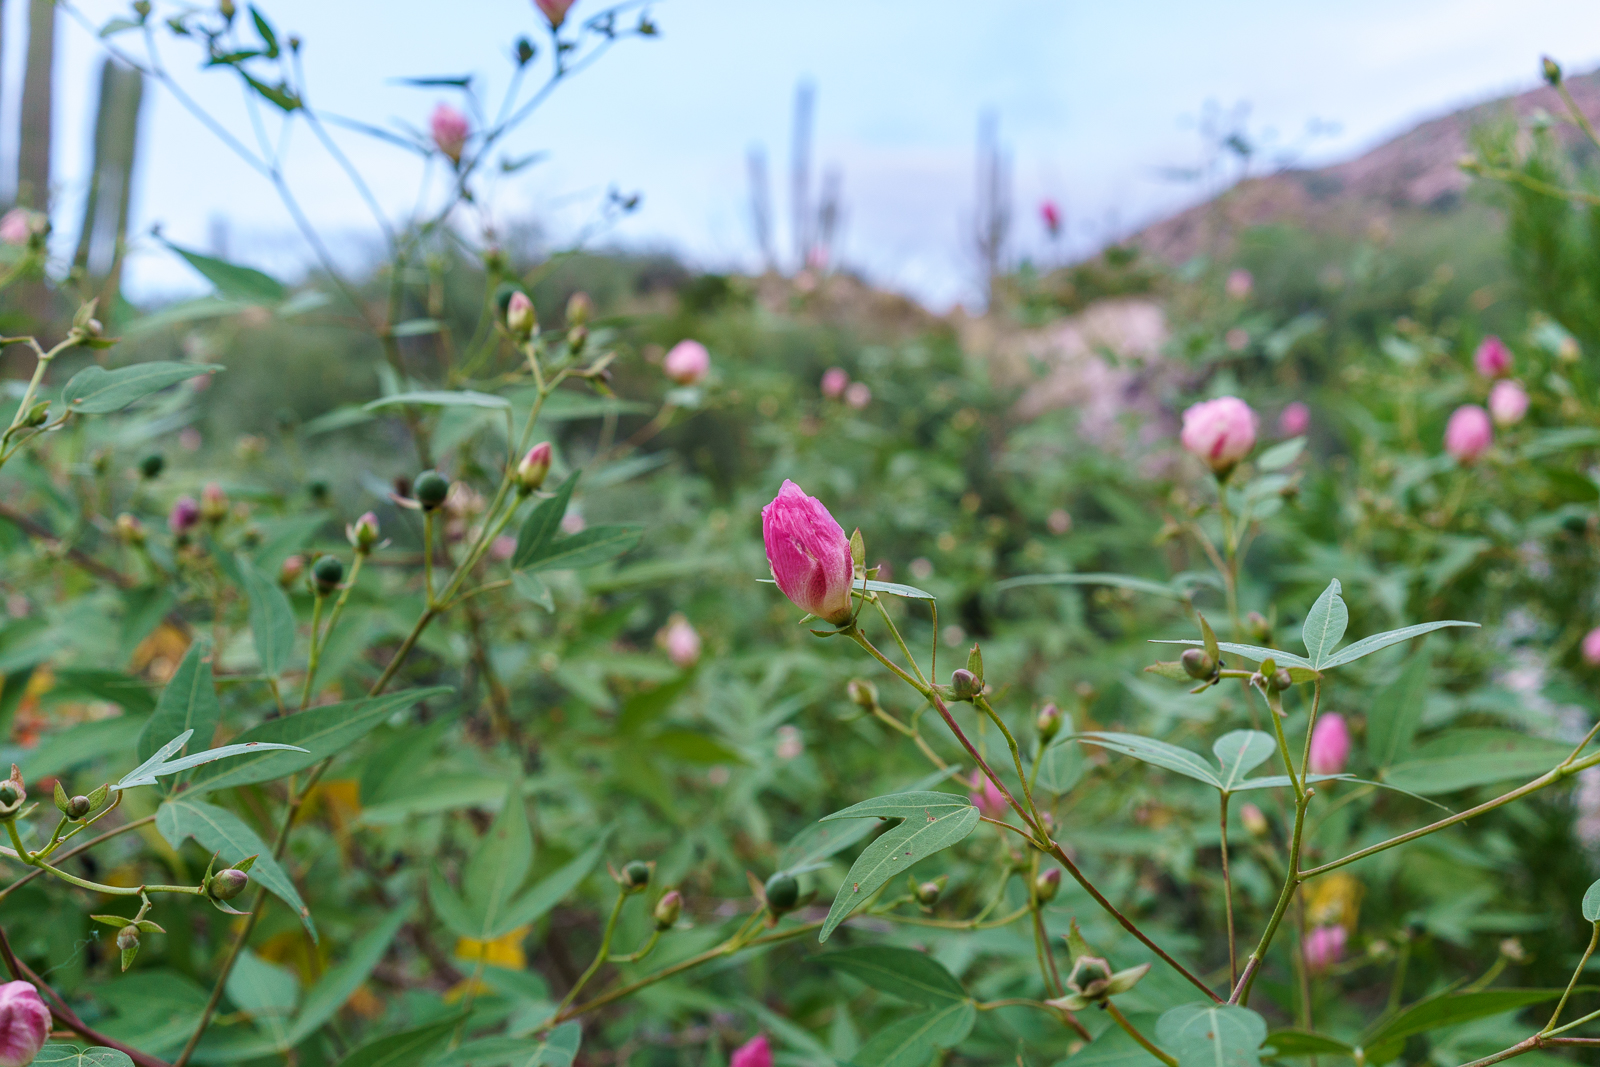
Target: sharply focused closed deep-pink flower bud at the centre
x=809 y=554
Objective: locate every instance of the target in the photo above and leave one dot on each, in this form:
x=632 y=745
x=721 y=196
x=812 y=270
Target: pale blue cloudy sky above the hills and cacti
x=1095 y=100
